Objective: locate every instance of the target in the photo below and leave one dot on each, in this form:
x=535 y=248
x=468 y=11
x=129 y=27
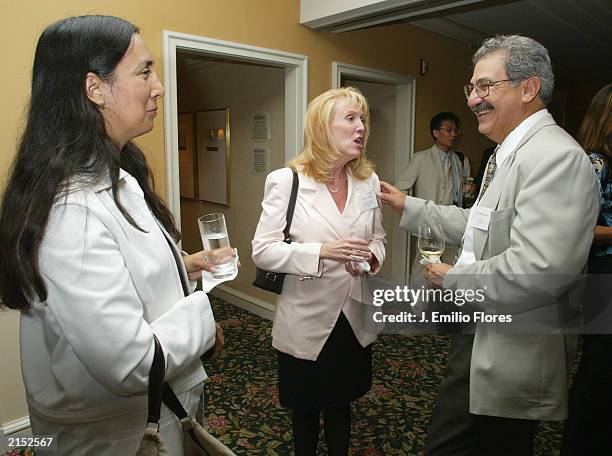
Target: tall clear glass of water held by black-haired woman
x=215 y=239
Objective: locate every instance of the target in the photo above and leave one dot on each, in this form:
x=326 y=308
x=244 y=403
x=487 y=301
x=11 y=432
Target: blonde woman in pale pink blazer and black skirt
x=324 y=354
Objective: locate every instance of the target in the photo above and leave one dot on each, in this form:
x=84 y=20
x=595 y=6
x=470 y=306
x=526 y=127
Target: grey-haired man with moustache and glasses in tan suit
x=533 y=221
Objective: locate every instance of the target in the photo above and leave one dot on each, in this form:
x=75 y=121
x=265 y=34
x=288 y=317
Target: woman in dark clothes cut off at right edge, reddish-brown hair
x=590 y=419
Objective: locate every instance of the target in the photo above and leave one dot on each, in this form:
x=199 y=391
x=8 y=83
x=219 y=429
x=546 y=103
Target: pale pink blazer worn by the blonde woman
x=307 y=310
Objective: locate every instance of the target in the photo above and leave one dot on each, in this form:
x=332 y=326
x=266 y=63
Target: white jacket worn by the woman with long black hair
x=86 y=351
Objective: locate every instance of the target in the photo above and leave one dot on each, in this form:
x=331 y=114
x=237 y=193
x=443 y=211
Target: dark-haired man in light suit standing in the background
x=436 y=174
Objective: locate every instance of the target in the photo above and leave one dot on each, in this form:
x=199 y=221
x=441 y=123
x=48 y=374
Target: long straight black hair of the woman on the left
x=64 y=137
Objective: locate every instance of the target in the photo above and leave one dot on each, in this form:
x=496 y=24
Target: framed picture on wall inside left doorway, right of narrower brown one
x=213 y=155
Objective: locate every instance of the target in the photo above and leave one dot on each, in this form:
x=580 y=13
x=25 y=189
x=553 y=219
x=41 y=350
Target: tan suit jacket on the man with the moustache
x=544 y=203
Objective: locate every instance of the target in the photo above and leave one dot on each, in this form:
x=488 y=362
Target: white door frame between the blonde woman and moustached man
x=404 y=144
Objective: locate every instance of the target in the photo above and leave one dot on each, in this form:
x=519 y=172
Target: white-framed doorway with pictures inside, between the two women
x=233 y=113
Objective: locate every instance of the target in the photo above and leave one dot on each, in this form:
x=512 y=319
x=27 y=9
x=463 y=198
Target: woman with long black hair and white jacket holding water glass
x=88 y=248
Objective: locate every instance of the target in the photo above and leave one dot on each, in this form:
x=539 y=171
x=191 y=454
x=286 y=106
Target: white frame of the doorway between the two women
x=296 y=94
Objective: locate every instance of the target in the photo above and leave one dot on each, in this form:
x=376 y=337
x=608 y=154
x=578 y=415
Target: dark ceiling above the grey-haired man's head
x=577 y=33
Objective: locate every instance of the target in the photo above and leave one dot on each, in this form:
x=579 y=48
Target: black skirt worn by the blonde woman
x=341 y=373
